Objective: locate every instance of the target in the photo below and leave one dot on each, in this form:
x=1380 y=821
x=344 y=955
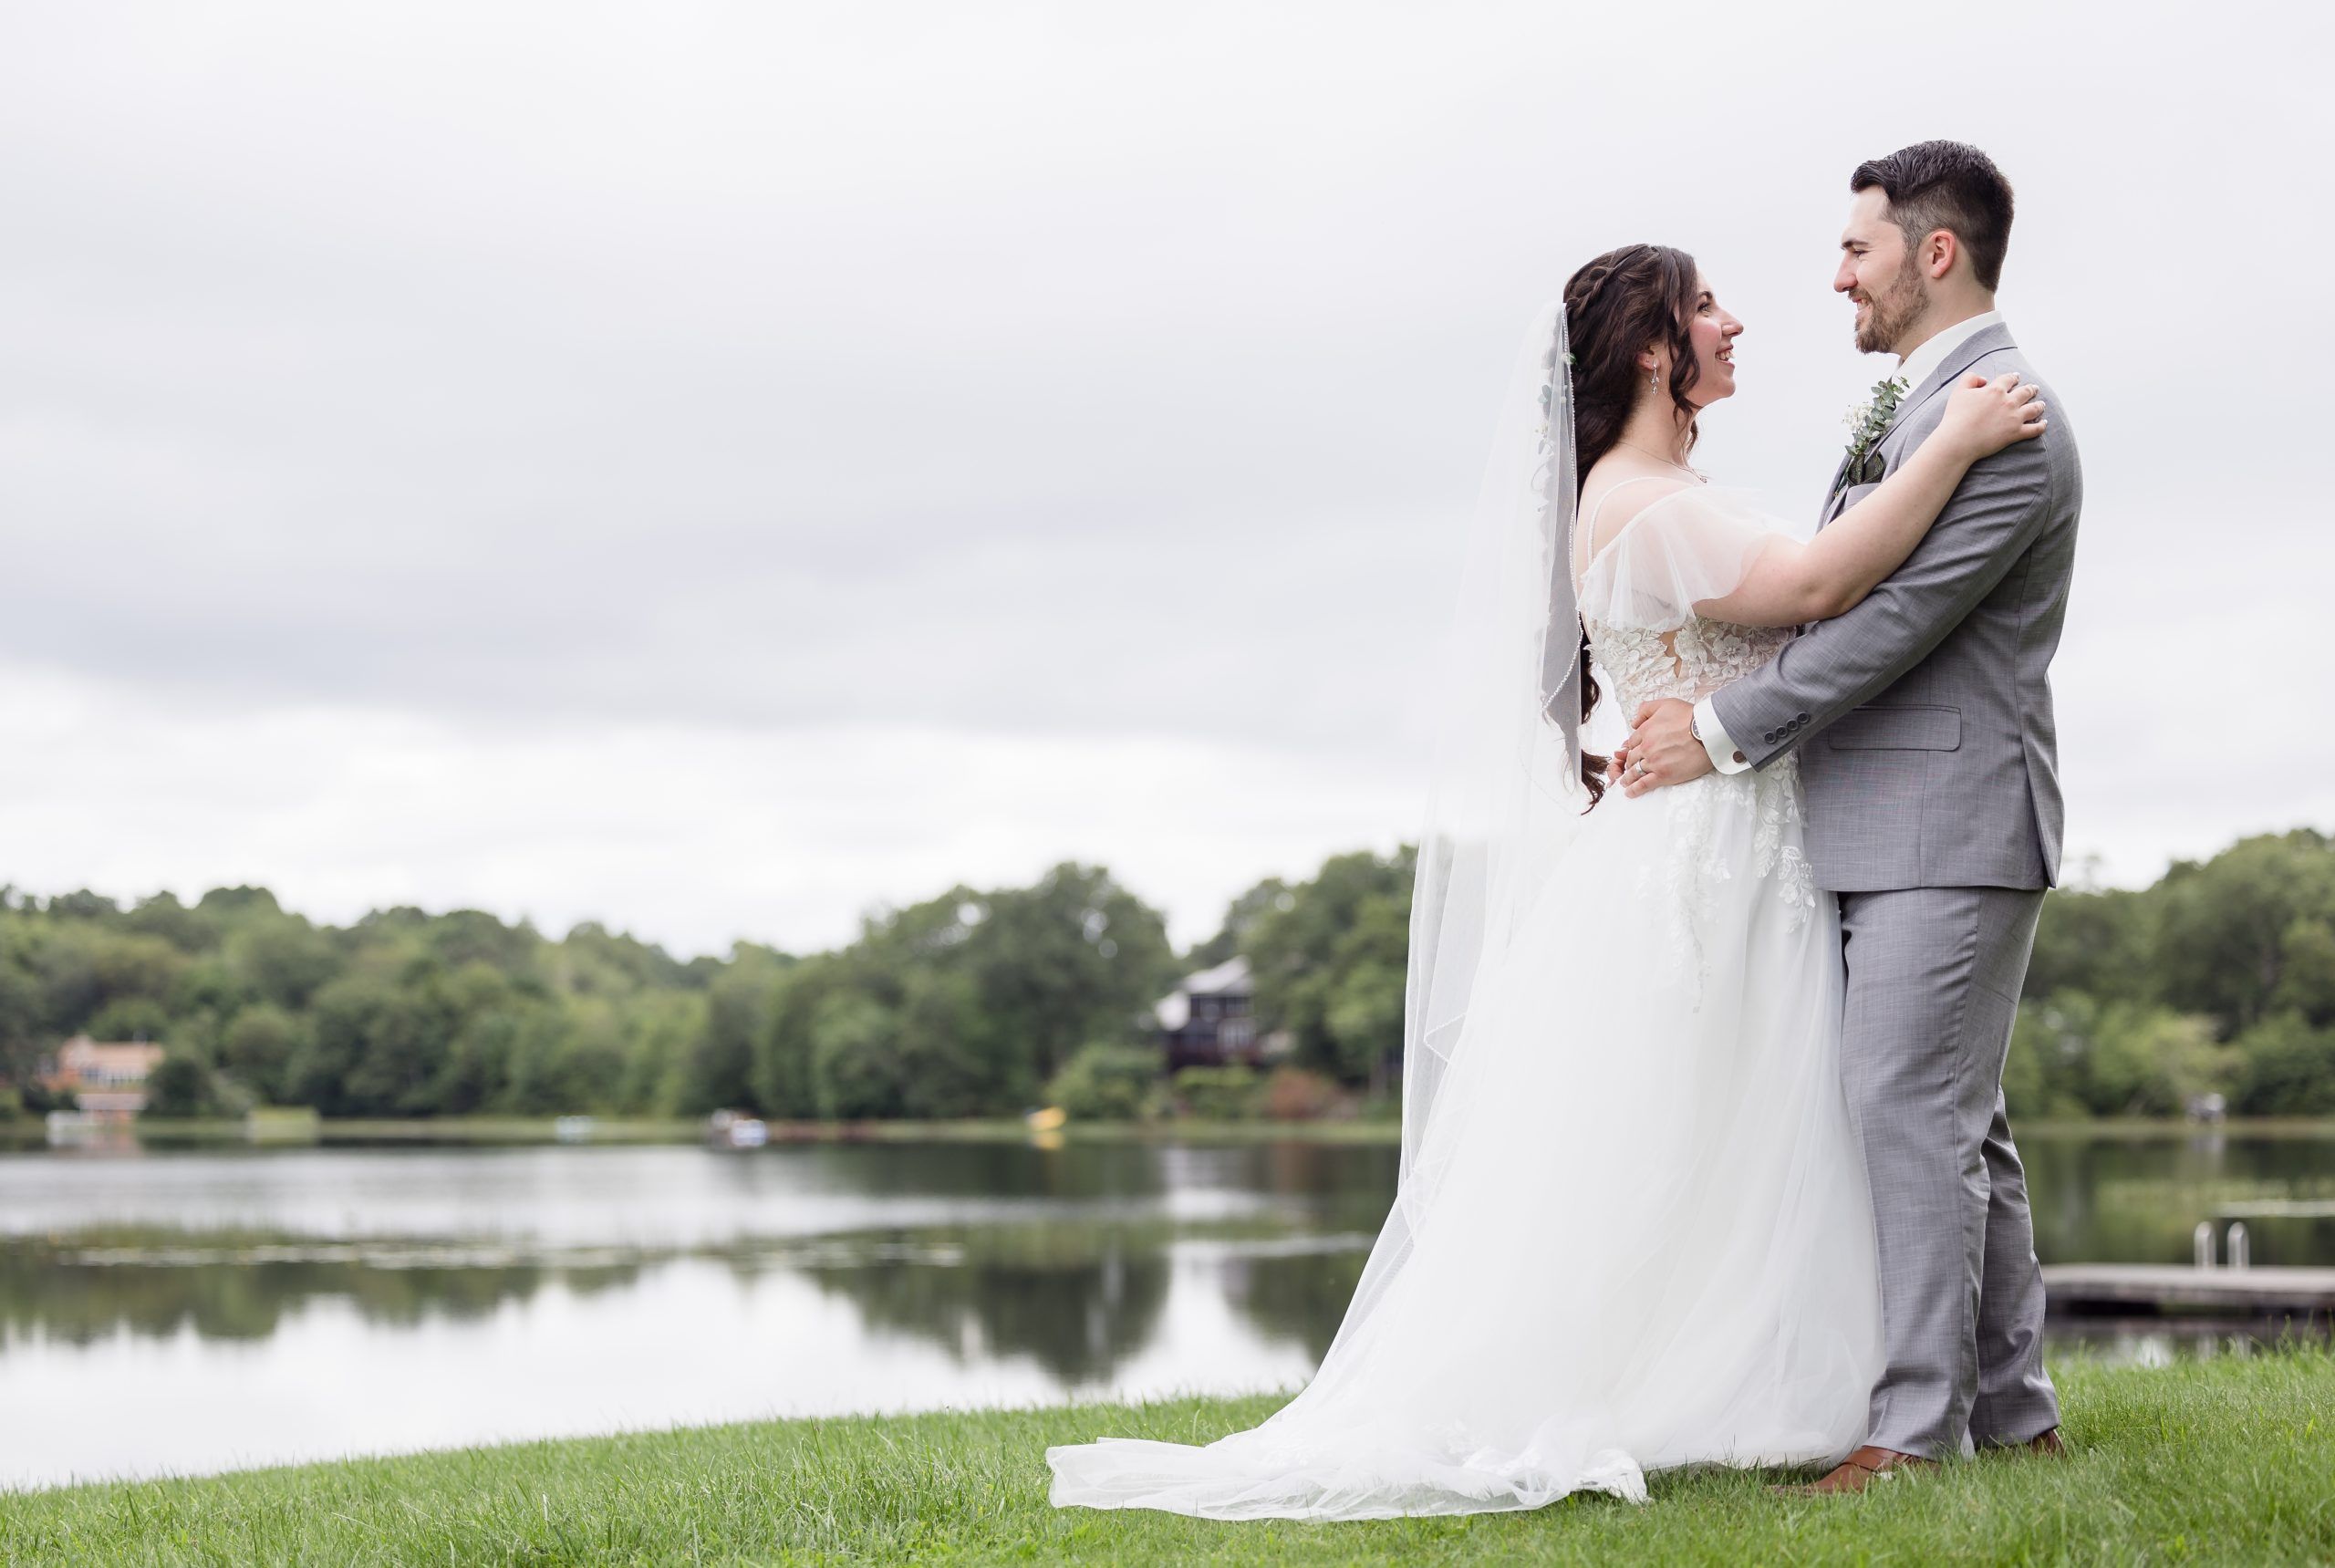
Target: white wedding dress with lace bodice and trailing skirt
x=1650 y=1242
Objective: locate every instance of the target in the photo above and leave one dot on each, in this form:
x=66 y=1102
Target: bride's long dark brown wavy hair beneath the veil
x=1617 y=305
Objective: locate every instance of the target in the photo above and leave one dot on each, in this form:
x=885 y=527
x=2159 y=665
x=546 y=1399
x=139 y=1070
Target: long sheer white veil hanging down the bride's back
x=1507 y=796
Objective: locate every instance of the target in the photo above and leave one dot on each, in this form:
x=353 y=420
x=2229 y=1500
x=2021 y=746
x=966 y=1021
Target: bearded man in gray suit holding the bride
x=1930 y=763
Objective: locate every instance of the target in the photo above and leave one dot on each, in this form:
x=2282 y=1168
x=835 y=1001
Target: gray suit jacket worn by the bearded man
x=1923 y=716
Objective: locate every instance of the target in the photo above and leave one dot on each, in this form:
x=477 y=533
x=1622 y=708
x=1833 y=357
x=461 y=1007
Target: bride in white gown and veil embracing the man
x=1631 y=1226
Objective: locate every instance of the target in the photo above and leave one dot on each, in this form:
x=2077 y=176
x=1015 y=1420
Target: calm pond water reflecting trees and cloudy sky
x=202 y=1310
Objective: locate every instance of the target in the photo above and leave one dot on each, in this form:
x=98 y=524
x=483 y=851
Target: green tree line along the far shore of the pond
x=2215 y=980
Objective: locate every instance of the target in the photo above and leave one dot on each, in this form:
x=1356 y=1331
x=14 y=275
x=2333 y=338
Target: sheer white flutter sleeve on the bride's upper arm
x=1680 y=550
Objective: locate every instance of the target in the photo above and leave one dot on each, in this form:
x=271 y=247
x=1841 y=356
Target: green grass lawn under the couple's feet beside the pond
x=2229 y=1462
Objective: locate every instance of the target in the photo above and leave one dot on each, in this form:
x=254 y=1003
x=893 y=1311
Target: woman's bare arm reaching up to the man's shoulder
x=1792 y=583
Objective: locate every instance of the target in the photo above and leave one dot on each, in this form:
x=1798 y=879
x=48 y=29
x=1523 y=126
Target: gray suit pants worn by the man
x=1935 y=980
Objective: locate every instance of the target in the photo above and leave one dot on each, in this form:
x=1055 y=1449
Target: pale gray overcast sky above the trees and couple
x=716 y=469
